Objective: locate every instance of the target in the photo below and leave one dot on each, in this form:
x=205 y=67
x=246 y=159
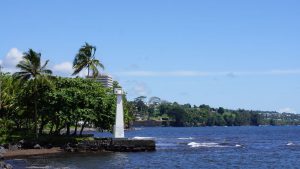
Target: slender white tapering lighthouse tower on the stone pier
x=119 y=123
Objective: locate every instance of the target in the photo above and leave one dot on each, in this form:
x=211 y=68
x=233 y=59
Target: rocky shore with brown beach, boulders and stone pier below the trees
x=98 y=145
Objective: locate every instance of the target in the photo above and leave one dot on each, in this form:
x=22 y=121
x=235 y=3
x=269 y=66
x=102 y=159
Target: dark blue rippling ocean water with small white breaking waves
x=199 y=147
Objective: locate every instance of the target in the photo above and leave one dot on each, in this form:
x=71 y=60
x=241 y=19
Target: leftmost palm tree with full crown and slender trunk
x=32 y=70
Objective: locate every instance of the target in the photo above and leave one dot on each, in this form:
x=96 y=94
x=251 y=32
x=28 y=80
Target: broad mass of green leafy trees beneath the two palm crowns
x=61 y=107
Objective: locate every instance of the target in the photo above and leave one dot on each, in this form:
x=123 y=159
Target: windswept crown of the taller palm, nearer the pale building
x=85 y=58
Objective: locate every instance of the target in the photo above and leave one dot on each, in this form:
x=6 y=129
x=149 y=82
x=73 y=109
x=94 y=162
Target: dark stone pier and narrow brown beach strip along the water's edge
x=98 y=145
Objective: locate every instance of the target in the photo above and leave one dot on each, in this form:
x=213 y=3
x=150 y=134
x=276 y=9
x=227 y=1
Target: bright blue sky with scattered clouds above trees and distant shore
x=235 y=54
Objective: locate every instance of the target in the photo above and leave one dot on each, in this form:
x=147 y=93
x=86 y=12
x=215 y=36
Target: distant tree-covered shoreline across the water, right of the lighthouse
x=175 y=114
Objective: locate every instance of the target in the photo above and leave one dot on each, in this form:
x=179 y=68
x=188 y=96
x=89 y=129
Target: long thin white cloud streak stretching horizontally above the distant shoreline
x=187 y=73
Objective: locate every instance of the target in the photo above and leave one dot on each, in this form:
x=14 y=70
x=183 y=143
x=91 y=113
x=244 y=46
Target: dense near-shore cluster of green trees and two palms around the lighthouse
x=35 y=103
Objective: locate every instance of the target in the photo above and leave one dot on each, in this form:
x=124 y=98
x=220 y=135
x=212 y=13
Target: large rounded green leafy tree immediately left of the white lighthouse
x=77 y=99
